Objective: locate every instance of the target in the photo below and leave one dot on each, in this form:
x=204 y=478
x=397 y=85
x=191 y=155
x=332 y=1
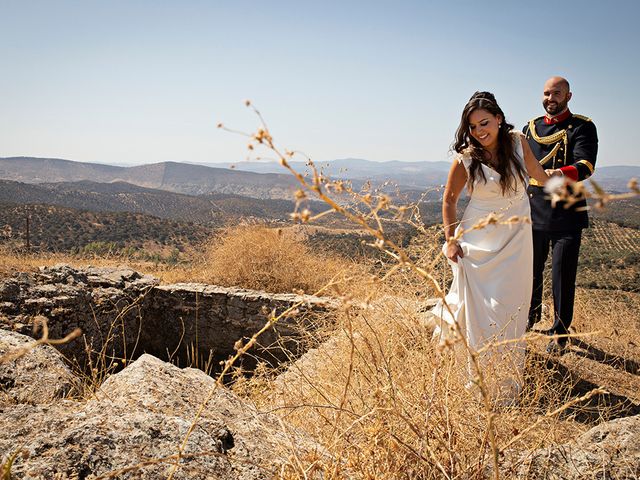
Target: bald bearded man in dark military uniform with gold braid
x=566 y=144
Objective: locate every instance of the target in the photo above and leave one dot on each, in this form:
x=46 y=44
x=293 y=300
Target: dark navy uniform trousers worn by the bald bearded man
x=565 y=247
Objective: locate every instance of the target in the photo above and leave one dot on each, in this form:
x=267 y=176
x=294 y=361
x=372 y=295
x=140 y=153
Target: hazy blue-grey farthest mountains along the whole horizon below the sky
x=253 y=178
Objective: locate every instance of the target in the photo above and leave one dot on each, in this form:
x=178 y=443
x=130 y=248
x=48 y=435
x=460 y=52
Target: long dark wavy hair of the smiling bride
x=507 y=164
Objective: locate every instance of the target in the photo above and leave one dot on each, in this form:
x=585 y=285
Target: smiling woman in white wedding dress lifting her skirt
x=492 y=265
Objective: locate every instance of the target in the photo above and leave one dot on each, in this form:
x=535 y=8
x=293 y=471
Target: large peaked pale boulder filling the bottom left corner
x=137 y=421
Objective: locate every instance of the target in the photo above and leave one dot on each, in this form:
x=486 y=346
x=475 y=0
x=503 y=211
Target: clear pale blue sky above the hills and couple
x=140 y=81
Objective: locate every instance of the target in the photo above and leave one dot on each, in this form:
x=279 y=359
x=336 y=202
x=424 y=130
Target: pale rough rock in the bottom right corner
x=608 y=451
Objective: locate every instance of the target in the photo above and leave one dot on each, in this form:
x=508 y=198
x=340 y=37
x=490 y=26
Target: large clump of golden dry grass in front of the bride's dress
x=385 y=402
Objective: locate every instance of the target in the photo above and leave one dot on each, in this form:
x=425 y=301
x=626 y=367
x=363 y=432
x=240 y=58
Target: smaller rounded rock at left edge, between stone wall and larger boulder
x=39 y=376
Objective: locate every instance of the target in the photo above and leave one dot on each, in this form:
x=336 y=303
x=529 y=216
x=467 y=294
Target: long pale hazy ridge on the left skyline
x=171 y=176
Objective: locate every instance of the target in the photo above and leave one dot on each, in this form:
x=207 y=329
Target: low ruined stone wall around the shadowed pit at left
x=124 y=314
